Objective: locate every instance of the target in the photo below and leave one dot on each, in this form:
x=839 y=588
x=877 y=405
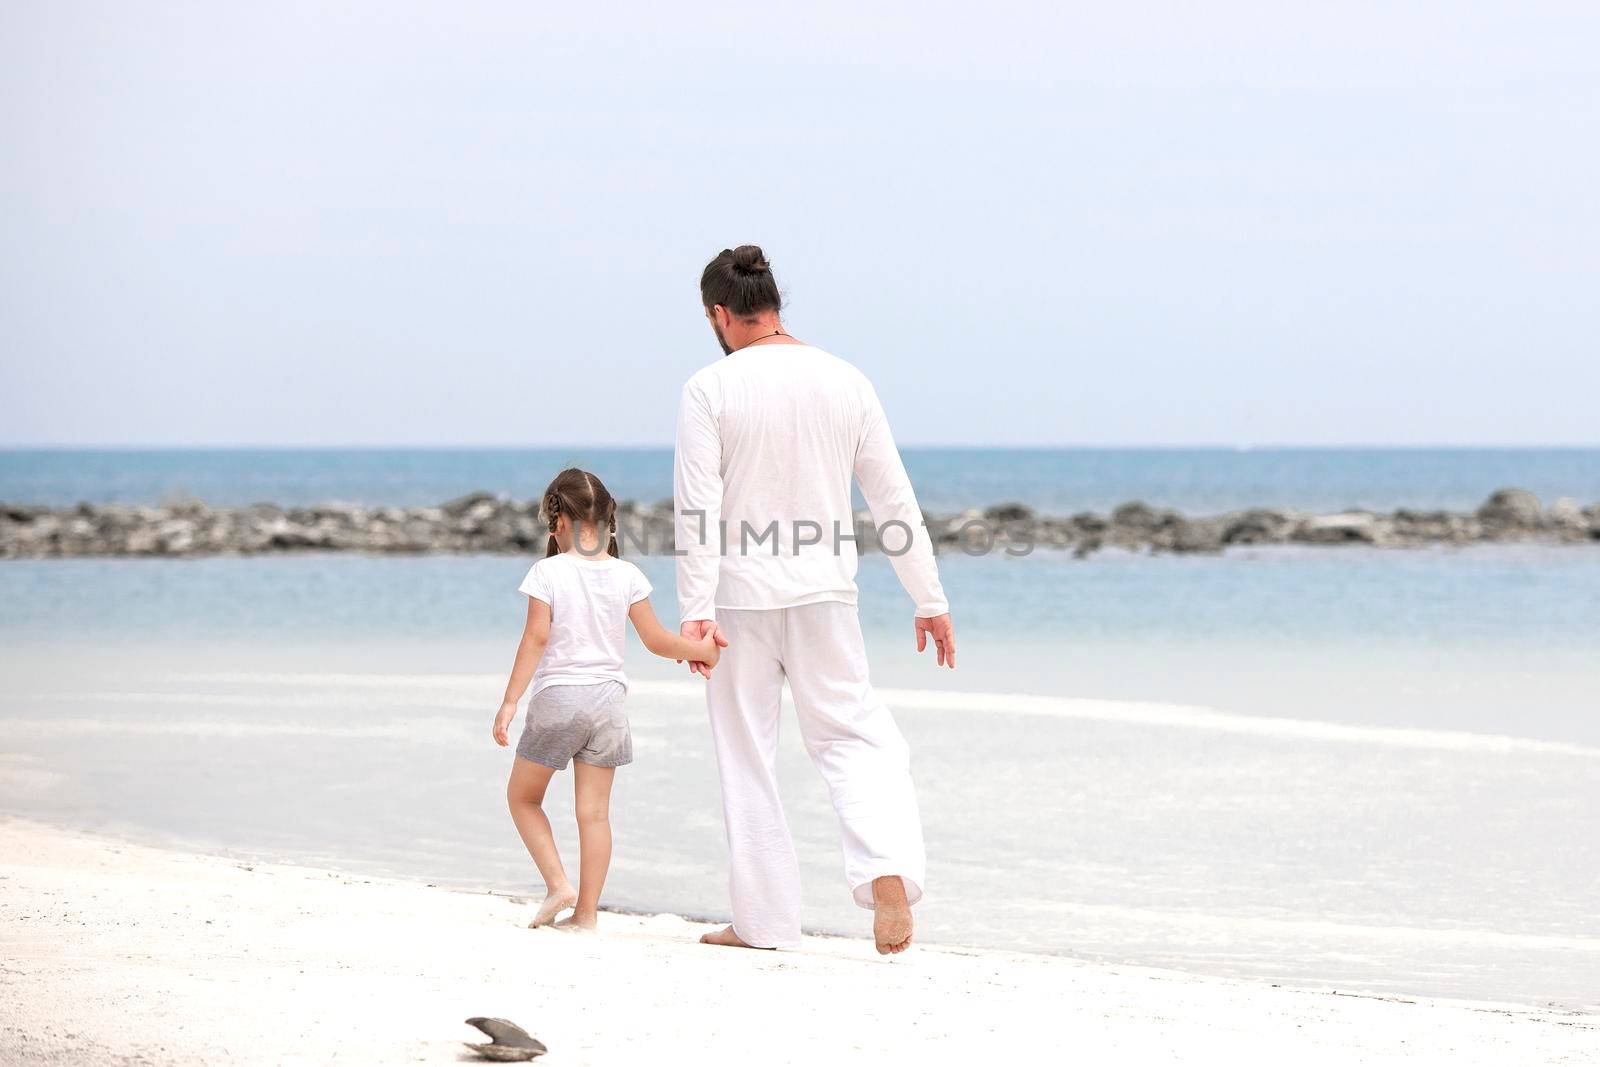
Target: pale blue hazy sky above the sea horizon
x=1030 y=223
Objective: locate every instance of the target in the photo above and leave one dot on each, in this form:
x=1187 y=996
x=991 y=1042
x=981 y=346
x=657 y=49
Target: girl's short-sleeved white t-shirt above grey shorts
x=590 y=599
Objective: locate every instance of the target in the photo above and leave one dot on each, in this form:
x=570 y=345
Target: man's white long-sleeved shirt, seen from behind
x=769 y=441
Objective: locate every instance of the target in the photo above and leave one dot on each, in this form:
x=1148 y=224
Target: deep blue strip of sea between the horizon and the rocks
x=1052 y=481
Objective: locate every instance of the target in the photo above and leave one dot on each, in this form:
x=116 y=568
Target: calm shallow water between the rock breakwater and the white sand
x=1348 y=769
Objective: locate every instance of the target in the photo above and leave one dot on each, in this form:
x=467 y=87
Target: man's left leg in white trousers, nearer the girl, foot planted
x=745 y=695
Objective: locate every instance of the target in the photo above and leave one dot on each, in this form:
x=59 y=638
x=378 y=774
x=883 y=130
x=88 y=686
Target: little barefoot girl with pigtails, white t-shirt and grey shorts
x=572 y=650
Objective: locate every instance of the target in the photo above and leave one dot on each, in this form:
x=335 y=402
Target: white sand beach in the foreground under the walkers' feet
x=122 y=954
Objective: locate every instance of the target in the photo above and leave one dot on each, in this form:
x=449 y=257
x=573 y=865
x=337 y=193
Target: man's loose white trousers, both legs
x=852 y=738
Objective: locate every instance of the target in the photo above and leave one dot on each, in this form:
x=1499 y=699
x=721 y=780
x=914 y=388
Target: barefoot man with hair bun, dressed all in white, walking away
x=769 y=441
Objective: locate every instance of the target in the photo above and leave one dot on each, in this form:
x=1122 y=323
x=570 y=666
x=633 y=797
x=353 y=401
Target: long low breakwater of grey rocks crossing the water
x=487 y=524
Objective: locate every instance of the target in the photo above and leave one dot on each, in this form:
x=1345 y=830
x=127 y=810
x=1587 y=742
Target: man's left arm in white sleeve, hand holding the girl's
x=697 y=497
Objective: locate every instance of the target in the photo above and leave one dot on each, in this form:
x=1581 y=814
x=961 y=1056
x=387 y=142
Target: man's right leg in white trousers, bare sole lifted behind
x=863 y=757
